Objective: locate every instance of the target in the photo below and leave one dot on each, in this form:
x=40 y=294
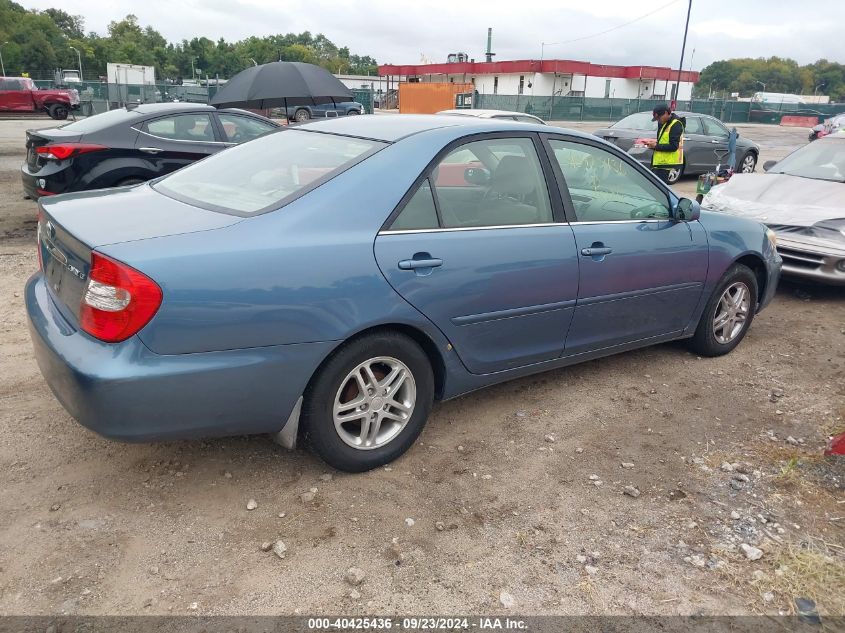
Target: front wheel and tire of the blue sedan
x=728 y=314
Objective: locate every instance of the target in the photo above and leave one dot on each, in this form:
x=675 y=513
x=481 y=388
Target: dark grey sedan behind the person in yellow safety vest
x=704 y=137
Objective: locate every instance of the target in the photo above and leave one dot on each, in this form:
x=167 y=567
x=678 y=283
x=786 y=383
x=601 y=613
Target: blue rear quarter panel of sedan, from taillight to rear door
x=305 y=273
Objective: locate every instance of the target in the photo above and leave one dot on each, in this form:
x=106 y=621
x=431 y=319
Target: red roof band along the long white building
x=526 y=66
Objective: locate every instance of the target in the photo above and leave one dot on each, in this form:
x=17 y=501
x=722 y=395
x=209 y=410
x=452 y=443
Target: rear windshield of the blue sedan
x=266 y=173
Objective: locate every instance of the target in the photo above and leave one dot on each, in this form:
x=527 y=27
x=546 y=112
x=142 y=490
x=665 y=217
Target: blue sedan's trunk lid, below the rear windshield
x=70 y=227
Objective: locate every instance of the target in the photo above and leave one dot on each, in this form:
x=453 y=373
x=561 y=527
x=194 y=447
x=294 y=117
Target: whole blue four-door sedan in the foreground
x=328 y=283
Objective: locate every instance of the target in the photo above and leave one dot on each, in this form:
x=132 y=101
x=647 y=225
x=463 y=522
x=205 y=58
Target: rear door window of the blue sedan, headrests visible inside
x=496 y=182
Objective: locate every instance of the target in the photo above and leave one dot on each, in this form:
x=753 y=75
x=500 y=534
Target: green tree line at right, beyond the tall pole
x=773 y=74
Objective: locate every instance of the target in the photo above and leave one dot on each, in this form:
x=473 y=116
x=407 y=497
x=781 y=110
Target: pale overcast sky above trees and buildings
x=402 y=32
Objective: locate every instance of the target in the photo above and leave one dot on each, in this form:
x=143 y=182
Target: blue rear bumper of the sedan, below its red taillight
x=124 y=391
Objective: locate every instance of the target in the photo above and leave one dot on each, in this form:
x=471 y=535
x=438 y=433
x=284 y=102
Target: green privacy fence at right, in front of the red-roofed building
x=593 y=109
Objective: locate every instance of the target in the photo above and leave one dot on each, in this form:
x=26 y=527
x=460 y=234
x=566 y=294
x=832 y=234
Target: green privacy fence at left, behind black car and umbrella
x=96 y=97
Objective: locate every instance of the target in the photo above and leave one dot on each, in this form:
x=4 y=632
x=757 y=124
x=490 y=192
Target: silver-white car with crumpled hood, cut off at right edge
x=802 y=198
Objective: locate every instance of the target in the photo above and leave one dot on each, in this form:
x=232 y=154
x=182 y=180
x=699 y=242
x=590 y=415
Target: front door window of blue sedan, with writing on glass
x=605 y=188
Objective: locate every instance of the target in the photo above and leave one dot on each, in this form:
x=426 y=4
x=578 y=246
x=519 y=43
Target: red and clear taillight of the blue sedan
x=118 y=300
